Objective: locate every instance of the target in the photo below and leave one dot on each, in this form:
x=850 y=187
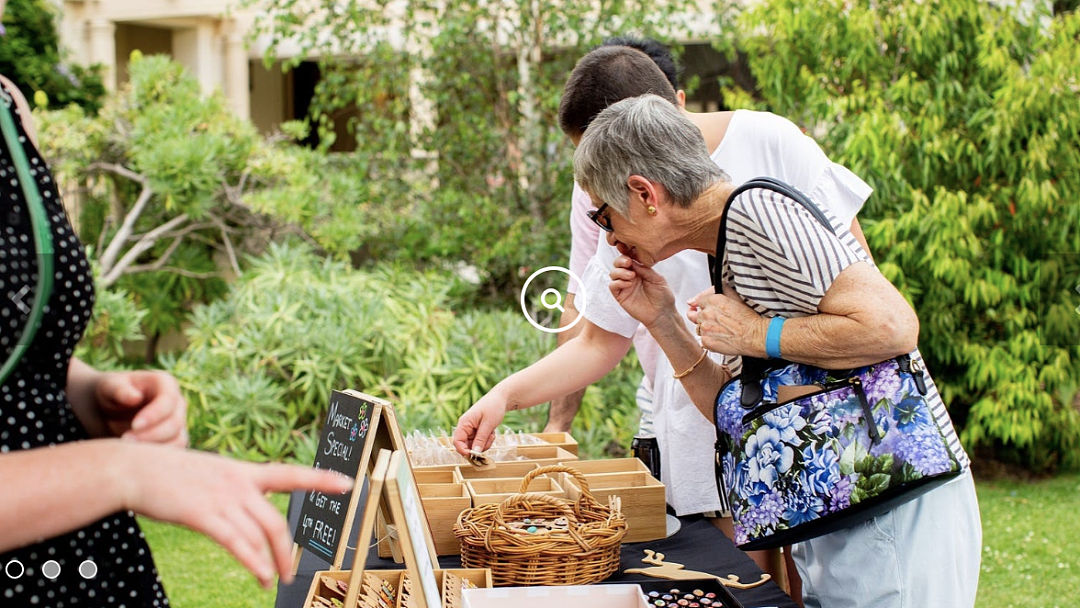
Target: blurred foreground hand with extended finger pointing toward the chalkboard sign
x=223 y=499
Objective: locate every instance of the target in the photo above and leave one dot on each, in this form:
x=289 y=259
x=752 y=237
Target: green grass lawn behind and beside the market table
x=1031 y=552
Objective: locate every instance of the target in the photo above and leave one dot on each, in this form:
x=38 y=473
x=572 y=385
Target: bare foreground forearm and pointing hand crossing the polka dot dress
x=52 y=491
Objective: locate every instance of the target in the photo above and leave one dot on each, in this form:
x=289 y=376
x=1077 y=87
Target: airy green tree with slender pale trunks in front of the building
x=455 y=116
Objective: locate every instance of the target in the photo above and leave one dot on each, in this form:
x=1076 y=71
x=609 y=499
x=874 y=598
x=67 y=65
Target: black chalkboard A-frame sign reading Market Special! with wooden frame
x=356 y=426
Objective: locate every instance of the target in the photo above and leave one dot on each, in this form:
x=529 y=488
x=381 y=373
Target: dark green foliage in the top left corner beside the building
x=31 y=57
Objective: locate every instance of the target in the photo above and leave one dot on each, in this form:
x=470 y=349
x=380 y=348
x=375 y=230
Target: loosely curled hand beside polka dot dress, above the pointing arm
x=146 y=407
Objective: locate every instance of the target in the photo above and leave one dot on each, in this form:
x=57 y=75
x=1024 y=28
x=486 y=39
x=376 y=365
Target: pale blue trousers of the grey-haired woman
x=922 y=555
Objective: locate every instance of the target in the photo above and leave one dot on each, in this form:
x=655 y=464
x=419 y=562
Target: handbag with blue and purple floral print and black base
x=811 y=466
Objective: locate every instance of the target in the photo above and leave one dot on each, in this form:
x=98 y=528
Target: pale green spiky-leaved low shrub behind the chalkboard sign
x=263 y=362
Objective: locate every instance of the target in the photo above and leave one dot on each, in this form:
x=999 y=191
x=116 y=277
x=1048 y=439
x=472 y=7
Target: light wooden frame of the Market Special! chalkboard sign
x=384 y=434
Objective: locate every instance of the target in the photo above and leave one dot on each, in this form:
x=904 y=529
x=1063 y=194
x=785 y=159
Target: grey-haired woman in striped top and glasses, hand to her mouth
x=649 y=171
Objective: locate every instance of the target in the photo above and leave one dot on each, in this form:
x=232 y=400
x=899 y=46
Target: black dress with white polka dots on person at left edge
x=35 y=411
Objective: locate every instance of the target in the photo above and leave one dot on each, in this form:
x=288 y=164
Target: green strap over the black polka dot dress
x=43 y=237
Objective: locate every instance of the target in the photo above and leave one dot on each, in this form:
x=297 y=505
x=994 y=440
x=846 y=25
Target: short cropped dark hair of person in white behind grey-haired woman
x=605 y=76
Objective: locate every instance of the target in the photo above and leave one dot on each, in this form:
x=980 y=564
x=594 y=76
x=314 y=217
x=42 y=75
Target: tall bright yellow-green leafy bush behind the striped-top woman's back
x=966 y=119
